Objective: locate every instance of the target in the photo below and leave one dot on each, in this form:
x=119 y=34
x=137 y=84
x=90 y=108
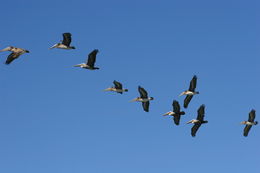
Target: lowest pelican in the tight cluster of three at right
x=197 y=122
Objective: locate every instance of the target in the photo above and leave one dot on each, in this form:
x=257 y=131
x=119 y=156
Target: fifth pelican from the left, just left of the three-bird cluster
x=143 y=98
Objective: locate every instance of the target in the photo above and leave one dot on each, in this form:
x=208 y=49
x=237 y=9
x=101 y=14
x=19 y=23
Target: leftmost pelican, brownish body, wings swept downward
x=16 y=52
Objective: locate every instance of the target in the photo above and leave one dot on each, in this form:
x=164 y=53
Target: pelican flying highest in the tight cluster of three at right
x=189 y=93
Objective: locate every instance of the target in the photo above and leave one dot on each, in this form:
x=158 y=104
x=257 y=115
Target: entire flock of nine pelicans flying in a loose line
x=176 y=113
